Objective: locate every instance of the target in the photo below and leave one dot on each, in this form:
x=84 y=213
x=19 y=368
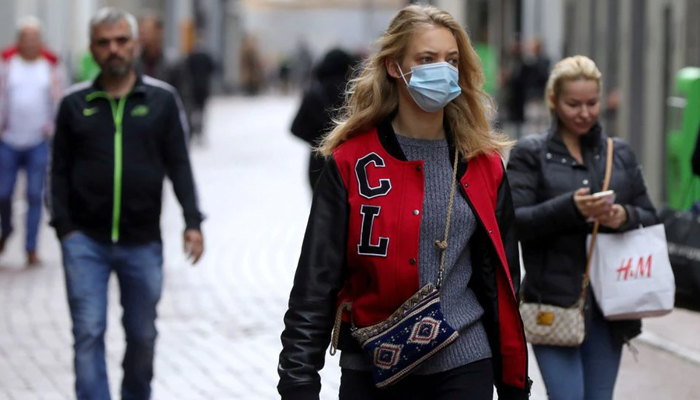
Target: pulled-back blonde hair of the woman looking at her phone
x=570 y=69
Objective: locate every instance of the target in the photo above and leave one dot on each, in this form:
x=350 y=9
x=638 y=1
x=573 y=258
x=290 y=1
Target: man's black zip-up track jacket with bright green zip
x=109 y=160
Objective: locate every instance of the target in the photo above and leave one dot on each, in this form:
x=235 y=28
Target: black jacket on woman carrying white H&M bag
x=552 y=232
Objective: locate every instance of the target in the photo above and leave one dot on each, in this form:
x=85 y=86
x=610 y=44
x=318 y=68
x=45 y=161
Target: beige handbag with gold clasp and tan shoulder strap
x=563 y=326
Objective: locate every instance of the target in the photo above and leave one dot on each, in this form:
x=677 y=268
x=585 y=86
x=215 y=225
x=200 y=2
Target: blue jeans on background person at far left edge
x=34 y=160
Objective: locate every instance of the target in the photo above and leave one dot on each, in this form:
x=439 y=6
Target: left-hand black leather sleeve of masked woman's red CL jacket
x=319 y=277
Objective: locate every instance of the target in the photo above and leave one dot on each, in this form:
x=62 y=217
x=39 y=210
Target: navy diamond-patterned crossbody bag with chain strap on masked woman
x=414 y=332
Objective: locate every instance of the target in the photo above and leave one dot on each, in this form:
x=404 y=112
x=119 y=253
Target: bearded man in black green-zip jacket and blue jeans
x=115 y=140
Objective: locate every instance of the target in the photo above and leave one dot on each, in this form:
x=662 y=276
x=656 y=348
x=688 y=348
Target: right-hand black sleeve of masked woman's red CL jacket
x=505 y=215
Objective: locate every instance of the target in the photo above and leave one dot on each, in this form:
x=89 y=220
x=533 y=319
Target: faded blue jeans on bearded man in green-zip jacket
x=88 y=265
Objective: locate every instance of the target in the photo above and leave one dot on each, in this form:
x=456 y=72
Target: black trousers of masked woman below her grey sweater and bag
x=470 y=382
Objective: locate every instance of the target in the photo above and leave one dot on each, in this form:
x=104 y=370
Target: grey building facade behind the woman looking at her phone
x=639 y=46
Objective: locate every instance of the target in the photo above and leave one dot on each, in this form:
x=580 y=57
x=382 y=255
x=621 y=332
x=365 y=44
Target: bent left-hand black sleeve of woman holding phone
x=536 y=220
